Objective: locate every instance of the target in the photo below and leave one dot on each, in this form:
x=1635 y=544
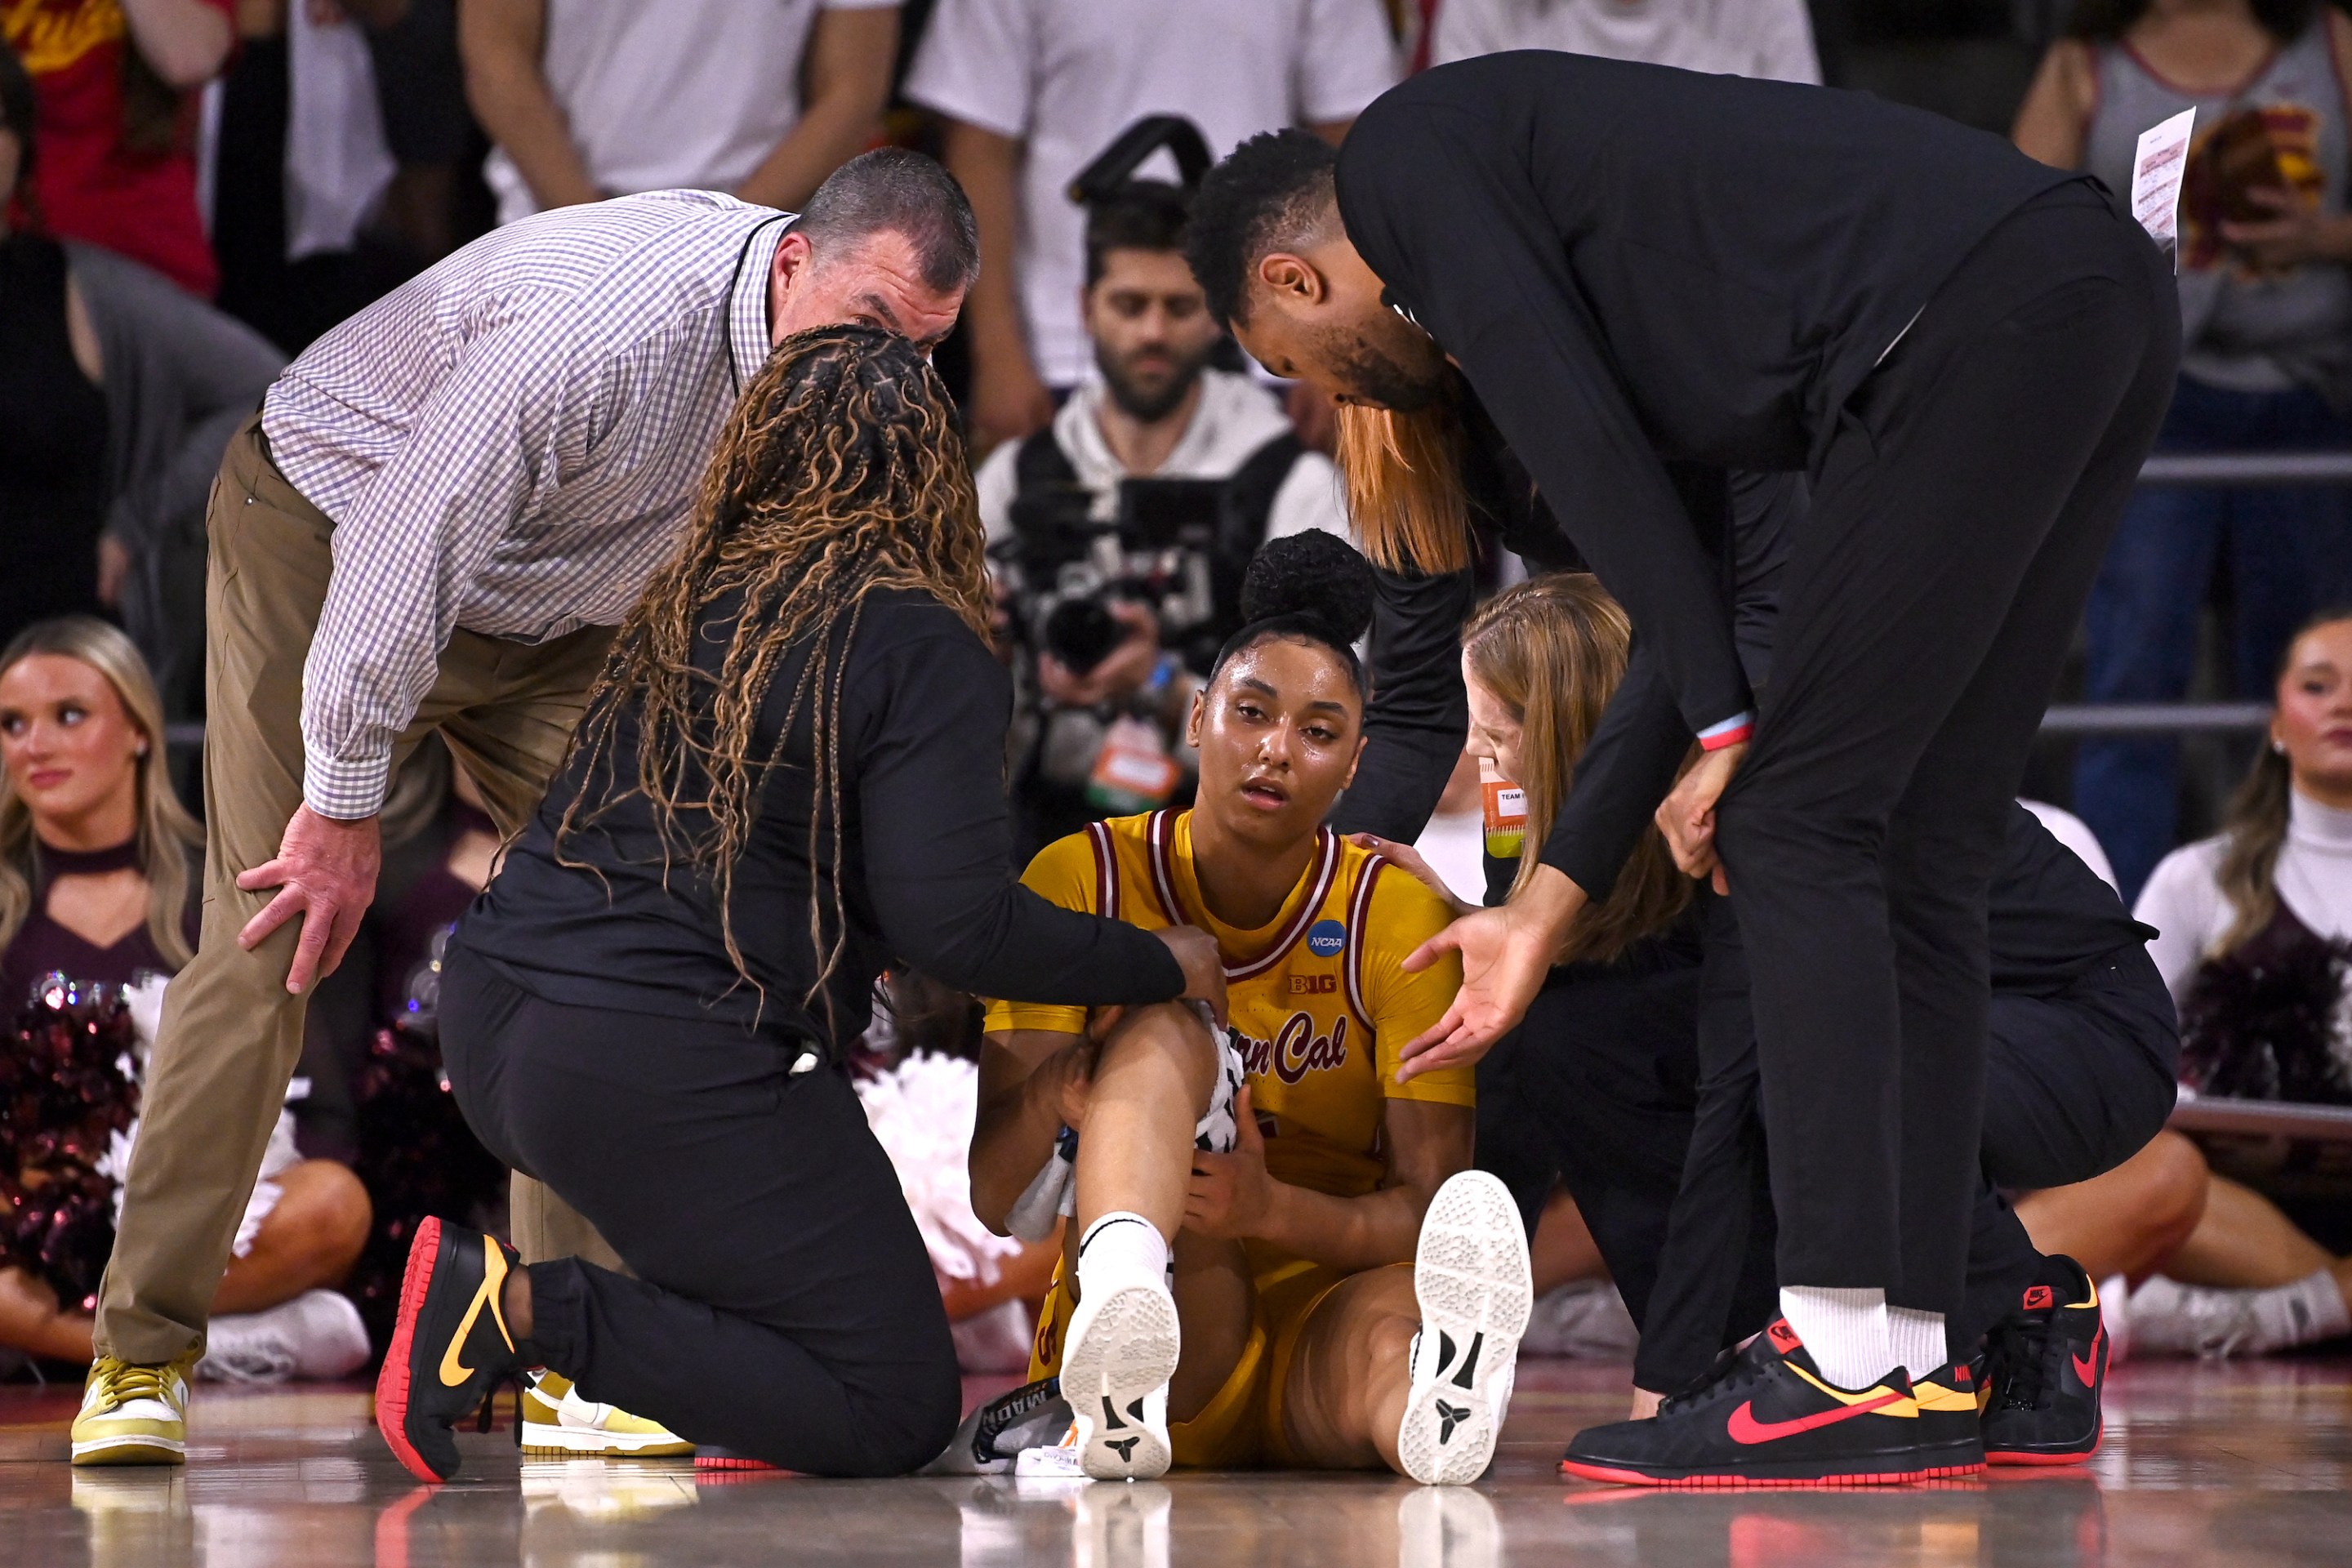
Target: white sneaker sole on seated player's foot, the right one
x=1476 y=1296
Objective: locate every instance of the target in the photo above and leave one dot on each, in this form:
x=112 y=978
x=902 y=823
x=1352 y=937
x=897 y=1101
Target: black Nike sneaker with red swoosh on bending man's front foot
x=1770 y=1419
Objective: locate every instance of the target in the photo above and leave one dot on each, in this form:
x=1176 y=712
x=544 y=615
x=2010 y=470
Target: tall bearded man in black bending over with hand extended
x=1970 y=356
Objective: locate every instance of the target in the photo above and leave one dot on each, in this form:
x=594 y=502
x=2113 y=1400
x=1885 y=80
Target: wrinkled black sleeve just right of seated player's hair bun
x=1419 y=716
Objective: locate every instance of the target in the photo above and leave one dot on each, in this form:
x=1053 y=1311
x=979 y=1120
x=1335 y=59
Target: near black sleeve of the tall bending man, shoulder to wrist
x=1450 y=220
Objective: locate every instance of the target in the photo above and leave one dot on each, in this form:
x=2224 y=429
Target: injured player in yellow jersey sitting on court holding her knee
x=1276 y=1252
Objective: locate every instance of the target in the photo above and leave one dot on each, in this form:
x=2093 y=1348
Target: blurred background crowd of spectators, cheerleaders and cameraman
x=192 y=192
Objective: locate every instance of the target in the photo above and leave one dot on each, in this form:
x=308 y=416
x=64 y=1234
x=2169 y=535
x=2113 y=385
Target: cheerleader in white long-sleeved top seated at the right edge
x=2257 y=949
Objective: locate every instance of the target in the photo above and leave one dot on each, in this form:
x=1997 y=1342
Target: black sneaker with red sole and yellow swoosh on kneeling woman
x=450 y=1346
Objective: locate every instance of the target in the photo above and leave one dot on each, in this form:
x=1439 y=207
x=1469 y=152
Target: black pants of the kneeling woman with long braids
x=784 y=1304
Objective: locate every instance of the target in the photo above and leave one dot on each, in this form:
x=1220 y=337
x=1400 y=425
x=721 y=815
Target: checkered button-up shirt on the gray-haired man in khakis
x=512 y=445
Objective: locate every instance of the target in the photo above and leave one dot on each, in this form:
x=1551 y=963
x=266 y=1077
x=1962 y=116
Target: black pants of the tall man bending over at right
x=1960 y=514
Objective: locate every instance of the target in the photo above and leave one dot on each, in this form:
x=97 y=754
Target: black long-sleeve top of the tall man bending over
x=1638 y=264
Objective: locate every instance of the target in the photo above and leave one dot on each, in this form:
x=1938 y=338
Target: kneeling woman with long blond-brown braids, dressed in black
x=789 y=779
